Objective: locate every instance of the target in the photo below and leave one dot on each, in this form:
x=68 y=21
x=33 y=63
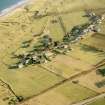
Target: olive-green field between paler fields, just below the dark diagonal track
x=74 y=92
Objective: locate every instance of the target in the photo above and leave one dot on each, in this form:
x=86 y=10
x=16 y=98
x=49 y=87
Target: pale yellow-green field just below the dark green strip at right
x=86 y=55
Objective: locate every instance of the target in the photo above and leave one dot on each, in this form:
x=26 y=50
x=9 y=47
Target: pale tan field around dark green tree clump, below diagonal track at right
x=90 y=81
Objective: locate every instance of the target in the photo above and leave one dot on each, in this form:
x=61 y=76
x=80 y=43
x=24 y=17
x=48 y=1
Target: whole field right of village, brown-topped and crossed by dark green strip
x=90 y=49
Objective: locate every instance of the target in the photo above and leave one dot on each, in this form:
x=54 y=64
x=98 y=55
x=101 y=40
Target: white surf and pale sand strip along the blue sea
x=12 y=8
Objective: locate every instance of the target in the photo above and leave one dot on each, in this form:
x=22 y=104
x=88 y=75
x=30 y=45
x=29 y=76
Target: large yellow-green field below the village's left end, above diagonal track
x=28 y=81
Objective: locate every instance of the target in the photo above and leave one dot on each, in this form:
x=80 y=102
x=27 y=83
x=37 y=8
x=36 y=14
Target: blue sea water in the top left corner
x=7 y=3
